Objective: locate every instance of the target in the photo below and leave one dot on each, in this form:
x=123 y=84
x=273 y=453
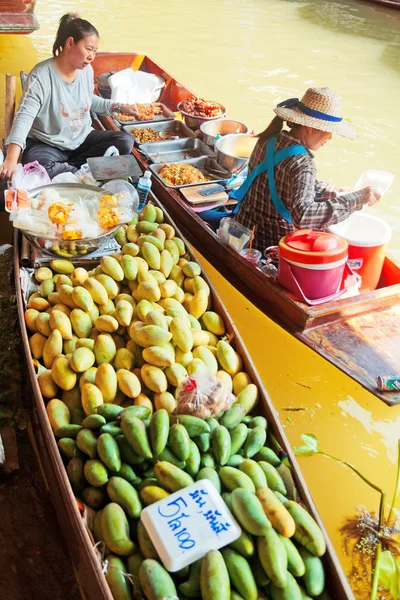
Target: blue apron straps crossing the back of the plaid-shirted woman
x=268 y=165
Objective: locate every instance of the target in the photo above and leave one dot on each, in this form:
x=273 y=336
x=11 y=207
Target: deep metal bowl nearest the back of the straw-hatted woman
x=234 y=150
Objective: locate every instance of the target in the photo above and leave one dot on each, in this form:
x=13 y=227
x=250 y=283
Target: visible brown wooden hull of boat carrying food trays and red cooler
x=356 y=334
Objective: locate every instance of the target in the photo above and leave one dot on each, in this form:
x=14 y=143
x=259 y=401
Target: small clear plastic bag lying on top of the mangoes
x=203 y=395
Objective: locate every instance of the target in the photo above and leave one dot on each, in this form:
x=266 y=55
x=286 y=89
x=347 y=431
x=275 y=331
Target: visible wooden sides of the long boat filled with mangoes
x=78 y=538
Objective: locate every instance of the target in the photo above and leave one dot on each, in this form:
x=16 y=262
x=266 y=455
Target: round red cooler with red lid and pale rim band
x=311 y=265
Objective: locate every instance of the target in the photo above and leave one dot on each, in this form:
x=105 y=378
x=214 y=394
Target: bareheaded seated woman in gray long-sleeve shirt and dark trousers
x=53 y=123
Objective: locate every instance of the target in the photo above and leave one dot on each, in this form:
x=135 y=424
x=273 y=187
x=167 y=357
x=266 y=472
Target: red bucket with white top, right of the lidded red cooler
x=367 y=237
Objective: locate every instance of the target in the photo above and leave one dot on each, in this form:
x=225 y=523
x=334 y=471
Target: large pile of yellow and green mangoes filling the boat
x=112 y=345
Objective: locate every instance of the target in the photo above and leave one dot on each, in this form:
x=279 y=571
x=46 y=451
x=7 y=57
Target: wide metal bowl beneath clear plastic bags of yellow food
x=72 y=248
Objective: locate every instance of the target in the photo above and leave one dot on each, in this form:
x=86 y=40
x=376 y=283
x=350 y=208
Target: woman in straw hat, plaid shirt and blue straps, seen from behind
x=281 y=192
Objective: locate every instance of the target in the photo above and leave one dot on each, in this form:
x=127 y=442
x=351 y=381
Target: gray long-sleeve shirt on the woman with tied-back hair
x=55 y=112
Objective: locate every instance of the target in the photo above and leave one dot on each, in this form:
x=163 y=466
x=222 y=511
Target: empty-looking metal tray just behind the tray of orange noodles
x=175 y=150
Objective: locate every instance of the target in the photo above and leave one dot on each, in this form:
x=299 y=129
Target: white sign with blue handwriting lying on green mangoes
x=189 y=523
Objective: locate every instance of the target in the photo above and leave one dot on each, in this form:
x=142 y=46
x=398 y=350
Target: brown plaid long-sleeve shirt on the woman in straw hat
x=312 y=204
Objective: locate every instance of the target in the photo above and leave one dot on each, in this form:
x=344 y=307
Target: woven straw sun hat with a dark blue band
x=320 y=108
